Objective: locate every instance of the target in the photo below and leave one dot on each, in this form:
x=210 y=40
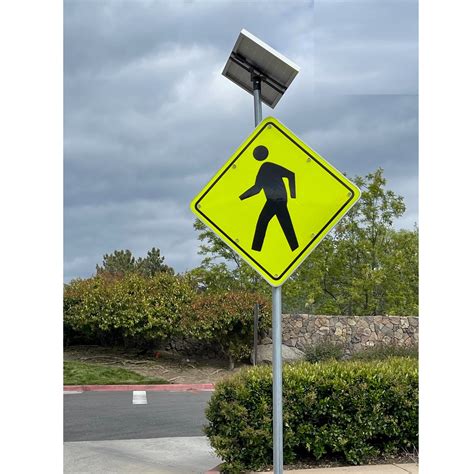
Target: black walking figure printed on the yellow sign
x=270 y=179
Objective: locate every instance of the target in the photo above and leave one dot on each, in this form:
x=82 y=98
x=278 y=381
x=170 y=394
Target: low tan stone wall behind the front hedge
x=355 y=332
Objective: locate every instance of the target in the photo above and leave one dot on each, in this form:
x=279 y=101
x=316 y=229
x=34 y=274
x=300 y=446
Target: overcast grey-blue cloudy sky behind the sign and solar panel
x=148 y=117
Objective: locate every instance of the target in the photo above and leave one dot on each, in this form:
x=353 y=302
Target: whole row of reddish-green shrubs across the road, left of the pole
x=139 y=311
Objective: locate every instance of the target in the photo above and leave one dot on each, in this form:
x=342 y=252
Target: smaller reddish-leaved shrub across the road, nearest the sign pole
x=226 y=319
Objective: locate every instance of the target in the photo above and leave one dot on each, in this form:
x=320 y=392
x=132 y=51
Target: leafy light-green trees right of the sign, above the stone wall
x=364 y=267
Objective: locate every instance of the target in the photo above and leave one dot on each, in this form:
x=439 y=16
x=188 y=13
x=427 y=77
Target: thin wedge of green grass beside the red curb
x=81 y=373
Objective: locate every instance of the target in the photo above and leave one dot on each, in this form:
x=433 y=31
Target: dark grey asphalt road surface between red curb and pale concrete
x=94 y=416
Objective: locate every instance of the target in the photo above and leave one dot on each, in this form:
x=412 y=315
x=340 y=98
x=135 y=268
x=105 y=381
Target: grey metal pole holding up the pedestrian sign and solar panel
x=276 y=329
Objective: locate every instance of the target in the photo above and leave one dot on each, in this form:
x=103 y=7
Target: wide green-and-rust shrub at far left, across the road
x=132 y=310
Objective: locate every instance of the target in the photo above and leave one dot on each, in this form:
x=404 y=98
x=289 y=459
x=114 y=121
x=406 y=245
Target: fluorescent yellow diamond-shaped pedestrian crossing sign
x=274 y=200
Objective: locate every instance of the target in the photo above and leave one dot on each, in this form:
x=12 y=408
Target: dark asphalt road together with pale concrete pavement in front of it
x=105 y=432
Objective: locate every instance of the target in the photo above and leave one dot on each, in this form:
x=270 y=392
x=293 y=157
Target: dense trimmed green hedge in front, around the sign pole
x=349 y=411
